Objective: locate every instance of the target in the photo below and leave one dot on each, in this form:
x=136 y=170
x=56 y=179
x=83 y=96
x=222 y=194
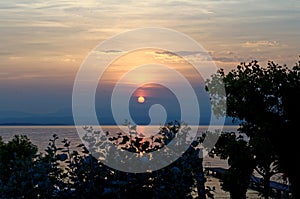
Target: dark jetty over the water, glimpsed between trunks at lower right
x=278 y=190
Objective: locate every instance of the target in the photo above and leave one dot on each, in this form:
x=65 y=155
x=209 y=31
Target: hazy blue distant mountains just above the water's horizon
x=64 y=117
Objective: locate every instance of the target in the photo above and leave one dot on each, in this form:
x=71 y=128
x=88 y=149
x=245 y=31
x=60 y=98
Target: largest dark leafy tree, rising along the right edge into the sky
x=267 y=100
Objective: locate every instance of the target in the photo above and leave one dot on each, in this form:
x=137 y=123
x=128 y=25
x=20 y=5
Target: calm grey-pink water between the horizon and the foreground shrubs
x=40 y=135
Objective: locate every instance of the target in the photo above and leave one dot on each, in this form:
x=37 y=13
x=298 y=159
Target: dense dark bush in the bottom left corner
x=17 y=168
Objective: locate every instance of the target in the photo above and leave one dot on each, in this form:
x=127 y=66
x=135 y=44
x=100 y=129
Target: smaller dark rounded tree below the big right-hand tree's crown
x=241 y=161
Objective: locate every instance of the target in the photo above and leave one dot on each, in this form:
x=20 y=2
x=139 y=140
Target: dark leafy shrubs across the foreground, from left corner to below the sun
x=62 y=173
